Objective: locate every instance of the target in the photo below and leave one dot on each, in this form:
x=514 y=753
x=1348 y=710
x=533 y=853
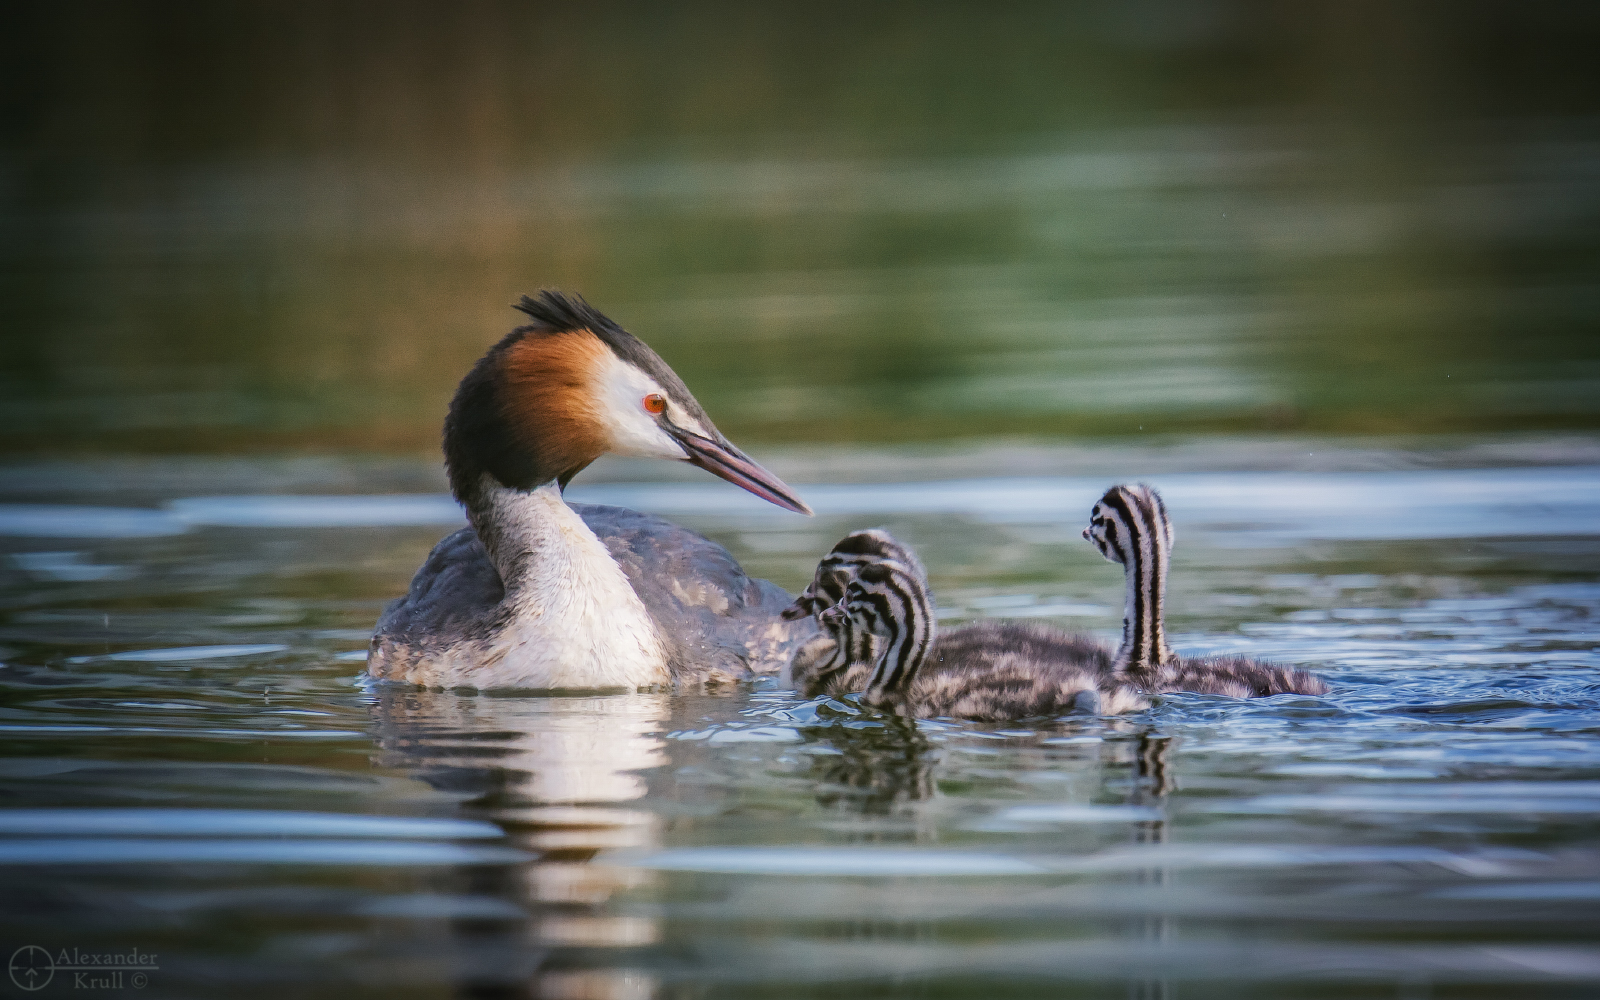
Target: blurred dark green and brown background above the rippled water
x=284 y=226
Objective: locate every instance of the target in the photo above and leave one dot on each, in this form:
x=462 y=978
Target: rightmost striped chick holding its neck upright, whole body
x=1130 y=527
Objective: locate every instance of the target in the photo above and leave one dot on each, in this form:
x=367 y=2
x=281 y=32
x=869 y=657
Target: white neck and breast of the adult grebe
x=570 y=617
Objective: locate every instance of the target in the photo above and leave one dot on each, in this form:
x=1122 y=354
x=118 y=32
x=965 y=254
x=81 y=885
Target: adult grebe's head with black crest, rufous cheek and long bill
x=572 y=386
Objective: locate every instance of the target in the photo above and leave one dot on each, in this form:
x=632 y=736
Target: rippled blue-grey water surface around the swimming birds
x=194 y=767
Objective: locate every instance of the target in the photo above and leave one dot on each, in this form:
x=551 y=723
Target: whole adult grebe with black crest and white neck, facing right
x=545 y=594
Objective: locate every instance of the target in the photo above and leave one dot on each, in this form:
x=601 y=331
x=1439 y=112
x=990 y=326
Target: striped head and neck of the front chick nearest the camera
x=894 y=602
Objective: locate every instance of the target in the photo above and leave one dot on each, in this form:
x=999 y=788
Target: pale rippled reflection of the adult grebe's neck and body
x=558 y=775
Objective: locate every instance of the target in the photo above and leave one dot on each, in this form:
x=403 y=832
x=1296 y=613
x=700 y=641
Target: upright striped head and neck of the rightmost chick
x=1130 y=527
